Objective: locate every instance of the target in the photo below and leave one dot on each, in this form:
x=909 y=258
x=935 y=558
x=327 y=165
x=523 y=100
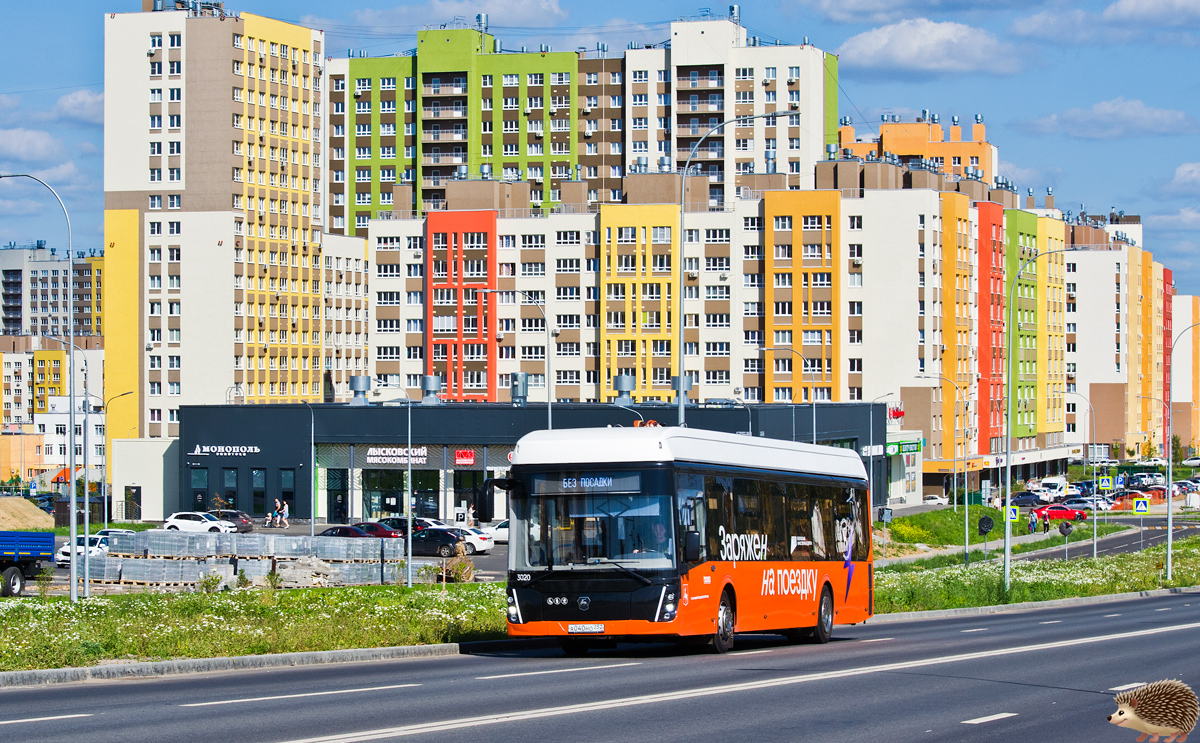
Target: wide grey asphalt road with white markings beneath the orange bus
x=1045 y=676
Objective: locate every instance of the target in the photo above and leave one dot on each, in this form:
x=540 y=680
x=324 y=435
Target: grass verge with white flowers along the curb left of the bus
x=55 y=633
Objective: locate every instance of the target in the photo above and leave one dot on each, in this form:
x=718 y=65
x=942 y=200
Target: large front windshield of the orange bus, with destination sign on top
x=592 y=520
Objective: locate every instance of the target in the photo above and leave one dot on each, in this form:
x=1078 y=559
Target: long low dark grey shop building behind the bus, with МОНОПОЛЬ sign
x=250 y=456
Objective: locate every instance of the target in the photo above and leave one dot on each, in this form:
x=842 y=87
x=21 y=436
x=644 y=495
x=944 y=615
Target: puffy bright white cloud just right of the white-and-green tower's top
x=923 y=49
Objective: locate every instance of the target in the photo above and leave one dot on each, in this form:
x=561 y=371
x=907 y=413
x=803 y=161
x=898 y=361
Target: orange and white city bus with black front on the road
x=664 y=534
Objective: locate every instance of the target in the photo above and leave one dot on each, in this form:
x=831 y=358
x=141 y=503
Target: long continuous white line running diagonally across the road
x=685 y=694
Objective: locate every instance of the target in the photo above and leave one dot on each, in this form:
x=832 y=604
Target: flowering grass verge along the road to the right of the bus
x=1041 y=580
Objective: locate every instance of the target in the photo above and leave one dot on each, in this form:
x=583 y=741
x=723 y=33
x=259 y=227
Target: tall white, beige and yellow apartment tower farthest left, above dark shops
x=214 y=177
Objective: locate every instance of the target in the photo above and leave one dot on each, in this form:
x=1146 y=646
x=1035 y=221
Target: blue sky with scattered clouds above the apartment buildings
x=1099 y=100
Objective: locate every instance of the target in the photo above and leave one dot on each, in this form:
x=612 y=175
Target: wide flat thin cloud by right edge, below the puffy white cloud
x=1113 y=119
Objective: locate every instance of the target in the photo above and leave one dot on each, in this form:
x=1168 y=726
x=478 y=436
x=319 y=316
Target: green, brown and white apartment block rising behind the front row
x=461 y=106
